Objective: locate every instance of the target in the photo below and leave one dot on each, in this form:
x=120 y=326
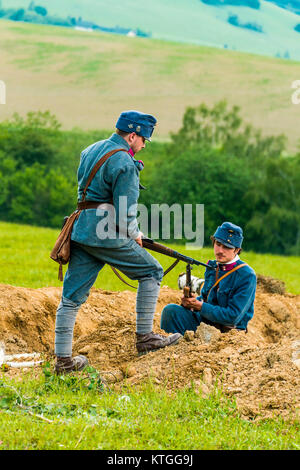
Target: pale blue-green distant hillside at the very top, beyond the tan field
x=267 y=30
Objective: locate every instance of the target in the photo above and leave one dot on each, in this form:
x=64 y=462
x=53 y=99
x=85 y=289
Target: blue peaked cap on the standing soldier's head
x=140 y=123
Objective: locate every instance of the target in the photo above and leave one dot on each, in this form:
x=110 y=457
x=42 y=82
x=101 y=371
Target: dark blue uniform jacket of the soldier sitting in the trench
x=232 y=304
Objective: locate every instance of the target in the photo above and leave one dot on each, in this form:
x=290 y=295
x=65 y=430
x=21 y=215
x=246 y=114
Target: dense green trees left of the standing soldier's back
x=38 y=167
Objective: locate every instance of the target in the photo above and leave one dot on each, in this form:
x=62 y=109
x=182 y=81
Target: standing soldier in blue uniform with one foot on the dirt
x=91 y=247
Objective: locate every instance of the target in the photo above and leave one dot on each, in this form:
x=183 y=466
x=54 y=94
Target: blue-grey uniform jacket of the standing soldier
x=119 y=176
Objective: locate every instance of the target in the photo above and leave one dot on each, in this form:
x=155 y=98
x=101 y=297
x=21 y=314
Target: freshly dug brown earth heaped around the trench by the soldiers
x=260 y=368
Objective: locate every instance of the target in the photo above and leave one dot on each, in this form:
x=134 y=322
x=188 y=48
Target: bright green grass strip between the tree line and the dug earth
x=25 y=261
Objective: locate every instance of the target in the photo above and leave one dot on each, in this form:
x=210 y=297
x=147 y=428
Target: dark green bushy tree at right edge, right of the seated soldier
x=275 y=222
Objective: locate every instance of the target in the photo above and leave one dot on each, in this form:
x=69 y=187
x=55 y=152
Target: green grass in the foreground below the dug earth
x=71 y=413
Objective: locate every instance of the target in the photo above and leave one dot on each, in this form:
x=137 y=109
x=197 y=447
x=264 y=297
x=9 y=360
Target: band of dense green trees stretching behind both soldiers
x=214 y=159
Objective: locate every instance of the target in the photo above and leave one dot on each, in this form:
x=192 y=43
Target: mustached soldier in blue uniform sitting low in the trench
x=227 y=296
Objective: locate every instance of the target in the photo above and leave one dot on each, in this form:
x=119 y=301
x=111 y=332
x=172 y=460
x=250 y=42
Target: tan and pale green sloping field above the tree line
x=86 y=80
